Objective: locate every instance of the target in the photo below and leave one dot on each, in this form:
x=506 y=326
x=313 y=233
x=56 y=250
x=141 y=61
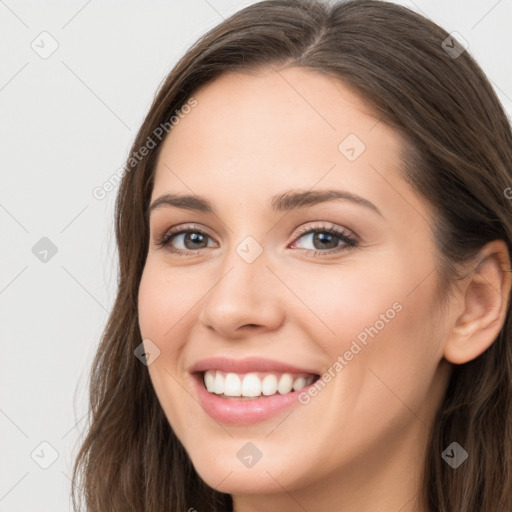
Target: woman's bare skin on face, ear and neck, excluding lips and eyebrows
x=359 y=444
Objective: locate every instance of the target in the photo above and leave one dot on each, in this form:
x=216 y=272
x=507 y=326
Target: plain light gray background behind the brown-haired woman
x=67 y=123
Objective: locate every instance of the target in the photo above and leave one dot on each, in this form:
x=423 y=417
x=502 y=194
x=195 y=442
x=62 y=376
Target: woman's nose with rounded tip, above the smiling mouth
x=243 y=298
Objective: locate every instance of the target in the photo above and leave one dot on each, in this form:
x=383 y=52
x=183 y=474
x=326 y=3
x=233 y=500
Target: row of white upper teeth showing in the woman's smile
x=253 y=384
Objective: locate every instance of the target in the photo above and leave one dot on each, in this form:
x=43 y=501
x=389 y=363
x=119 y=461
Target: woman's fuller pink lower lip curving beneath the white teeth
x=243 y=412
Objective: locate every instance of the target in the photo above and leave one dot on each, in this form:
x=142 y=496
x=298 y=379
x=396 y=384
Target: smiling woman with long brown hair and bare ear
x=313 y=312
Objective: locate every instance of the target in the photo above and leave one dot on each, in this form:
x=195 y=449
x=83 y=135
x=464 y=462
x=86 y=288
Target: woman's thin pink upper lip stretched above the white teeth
x=249 y=364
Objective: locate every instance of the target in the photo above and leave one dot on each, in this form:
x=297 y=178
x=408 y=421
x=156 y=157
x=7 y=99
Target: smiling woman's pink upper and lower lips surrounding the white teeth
x=244 y=412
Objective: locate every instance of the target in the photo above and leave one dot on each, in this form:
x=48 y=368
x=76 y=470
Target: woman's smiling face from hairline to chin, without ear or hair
x=328 y=298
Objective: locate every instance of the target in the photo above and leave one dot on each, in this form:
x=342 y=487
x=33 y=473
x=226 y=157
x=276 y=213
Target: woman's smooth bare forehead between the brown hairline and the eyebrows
x=262 y=133
